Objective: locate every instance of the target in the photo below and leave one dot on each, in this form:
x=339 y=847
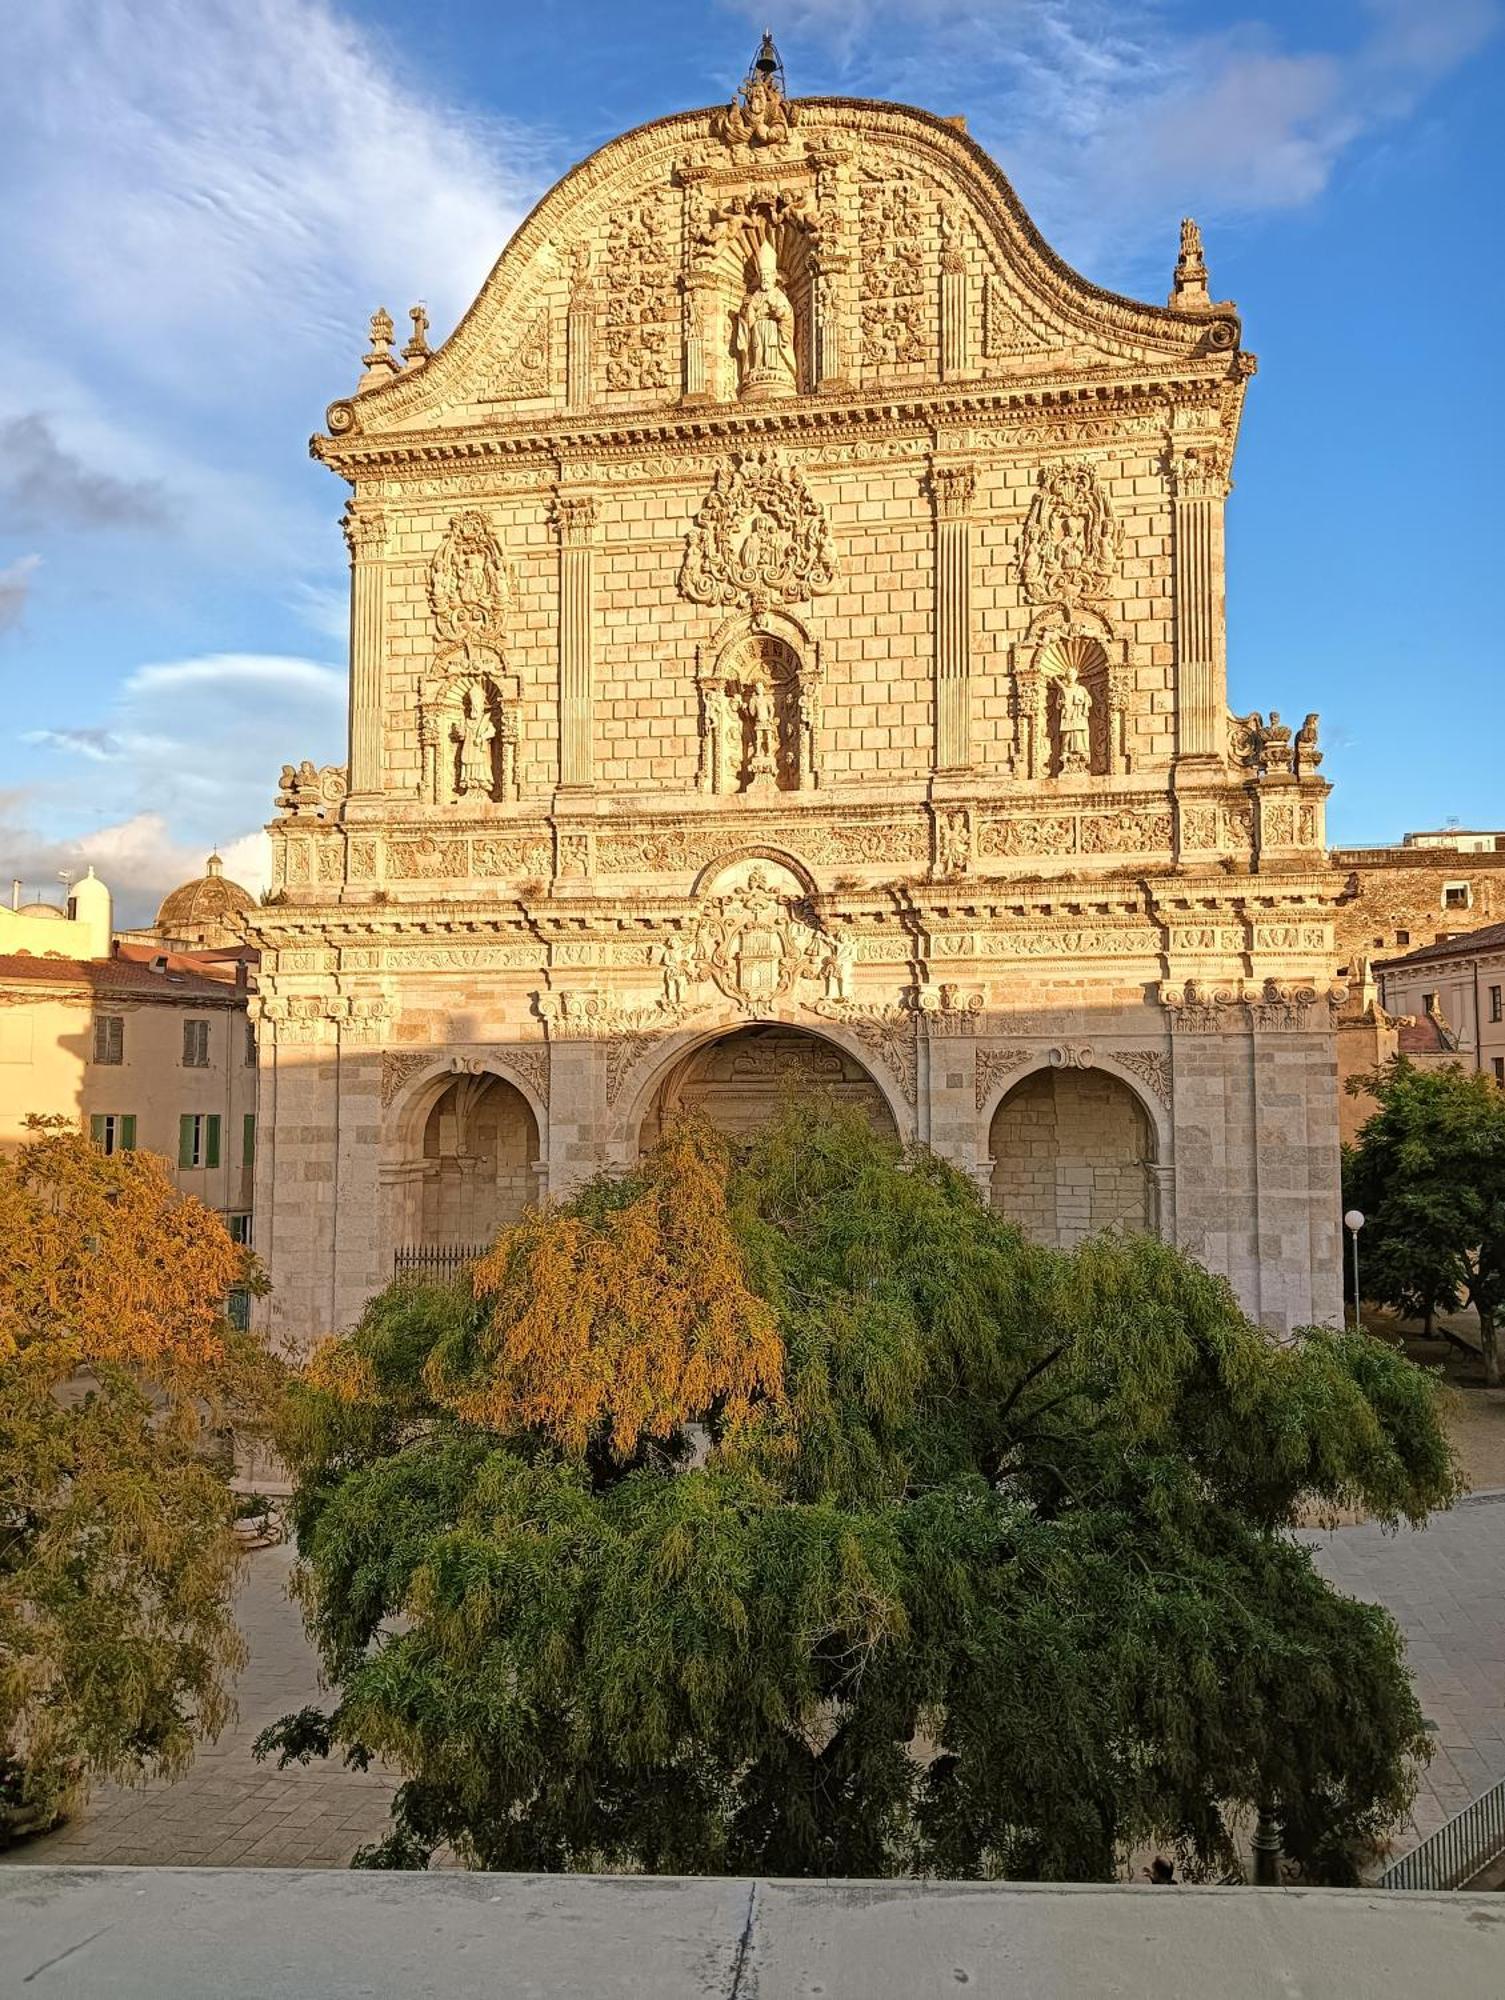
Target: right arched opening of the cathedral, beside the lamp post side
x=1074 y=1155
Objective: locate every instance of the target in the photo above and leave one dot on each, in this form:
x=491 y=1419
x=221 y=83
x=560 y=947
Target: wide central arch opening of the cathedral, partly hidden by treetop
x=741 y=1079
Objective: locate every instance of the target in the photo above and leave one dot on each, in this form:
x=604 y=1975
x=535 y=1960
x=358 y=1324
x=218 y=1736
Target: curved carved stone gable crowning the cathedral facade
x=902 y=249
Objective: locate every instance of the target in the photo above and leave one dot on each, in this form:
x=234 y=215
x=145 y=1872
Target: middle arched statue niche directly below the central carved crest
x=760 y=707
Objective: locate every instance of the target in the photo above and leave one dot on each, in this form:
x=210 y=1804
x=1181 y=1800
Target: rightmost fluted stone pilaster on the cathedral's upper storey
x=1200 y=481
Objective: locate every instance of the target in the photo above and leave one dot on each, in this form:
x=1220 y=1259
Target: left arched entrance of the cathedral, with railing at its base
x=479 y=1165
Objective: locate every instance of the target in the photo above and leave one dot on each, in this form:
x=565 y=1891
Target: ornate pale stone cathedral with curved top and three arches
x=788 y=643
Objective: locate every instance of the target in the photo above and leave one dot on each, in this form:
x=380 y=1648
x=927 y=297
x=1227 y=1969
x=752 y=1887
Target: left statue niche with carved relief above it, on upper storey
x=469 y=703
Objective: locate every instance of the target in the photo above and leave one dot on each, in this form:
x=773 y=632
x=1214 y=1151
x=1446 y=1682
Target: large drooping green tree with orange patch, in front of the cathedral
x=844 y=1533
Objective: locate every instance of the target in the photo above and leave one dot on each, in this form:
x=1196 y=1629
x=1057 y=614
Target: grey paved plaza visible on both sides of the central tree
x=1446 y=1585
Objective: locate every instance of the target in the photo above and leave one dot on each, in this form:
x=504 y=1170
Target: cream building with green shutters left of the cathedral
x=137 y=1043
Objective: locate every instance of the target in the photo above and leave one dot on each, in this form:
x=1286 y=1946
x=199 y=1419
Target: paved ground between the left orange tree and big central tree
x=229 y=1811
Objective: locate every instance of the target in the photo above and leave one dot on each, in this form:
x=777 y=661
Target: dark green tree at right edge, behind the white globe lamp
x=1428 y=1173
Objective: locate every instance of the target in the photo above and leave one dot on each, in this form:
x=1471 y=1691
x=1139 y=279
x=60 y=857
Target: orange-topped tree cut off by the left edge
x=117 y=1545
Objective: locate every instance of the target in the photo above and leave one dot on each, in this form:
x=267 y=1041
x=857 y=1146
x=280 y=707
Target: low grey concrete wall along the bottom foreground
x=283 y=1935
